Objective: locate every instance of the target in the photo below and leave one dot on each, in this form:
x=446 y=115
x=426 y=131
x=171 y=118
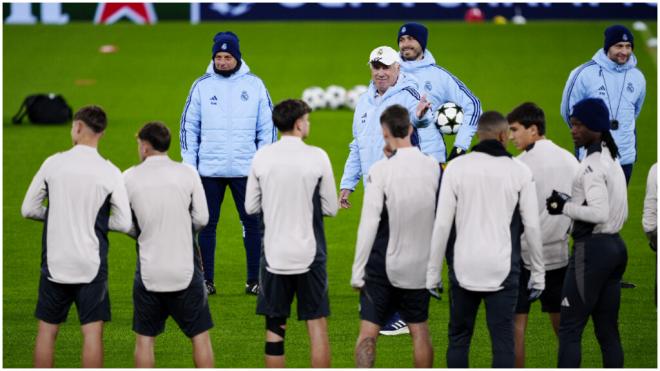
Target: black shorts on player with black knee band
x=276 y=293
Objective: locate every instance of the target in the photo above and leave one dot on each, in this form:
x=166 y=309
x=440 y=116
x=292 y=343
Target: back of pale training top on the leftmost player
x=79 y=183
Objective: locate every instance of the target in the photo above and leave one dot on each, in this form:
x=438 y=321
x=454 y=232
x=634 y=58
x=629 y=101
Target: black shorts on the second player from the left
x=188 y=307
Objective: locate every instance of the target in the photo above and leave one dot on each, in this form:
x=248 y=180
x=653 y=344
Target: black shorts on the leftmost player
x=55 y=299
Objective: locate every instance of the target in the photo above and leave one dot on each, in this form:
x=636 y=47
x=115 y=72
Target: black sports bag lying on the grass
x=44 y=109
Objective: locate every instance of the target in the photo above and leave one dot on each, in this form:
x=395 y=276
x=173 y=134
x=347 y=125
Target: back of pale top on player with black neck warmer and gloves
x=487 y=190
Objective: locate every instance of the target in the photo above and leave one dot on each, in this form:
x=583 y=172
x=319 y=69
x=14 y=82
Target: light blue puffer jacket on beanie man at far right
x=621 y=87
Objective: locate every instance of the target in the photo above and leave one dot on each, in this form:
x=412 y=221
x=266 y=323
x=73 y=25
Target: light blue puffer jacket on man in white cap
x=367 y=145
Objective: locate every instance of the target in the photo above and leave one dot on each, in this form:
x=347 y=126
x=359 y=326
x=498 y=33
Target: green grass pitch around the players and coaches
x=149 y=78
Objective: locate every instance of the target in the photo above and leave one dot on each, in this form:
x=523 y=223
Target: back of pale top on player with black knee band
x=289 y=173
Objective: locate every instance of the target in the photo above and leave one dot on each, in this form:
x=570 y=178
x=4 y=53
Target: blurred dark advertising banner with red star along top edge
x=150 y=13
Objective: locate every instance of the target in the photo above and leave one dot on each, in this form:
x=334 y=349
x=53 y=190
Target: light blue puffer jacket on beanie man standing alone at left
x=224 y=122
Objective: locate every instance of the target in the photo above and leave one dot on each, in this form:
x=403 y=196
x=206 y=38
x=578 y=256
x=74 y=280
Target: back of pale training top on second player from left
x=160 y=192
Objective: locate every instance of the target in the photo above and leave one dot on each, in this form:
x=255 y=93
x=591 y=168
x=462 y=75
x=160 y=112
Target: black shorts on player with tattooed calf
x=379 y=301
